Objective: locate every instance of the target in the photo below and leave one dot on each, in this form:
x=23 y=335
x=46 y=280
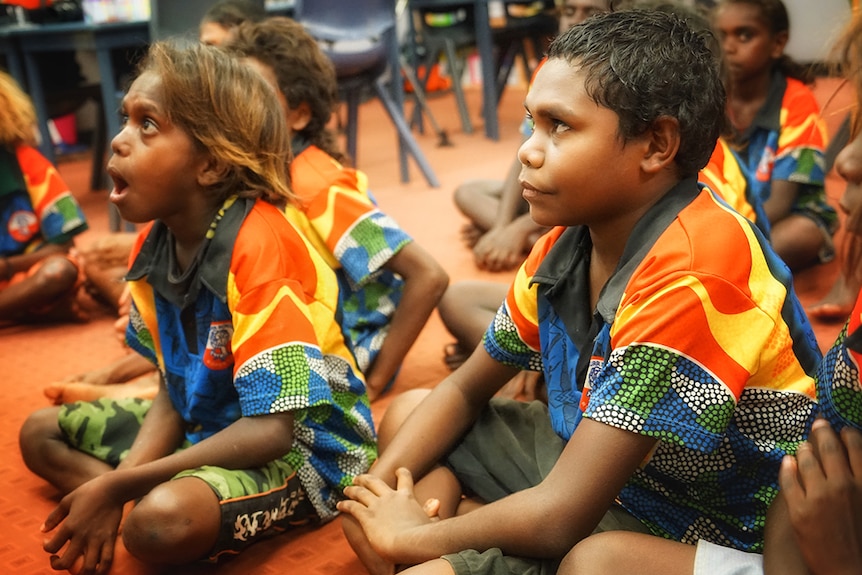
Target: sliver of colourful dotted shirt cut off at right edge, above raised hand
x=839 y=391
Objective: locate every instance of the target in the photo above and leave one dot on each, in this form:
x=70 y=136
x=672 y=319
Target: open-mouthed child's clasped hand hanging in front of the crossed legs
x=86 y=523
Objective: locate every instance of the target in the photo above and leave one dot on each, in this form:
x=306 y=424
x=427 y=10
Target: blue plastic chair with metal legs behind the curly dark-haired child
x=360 y=39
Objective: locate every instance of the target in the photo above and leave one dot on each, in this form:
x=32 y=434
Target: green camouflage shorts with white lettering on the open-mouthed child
x=255 y=503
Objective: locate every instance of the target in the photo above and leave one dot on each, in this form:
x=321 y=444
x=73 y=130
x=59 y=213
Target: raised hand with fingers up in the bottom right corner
x=823 y=489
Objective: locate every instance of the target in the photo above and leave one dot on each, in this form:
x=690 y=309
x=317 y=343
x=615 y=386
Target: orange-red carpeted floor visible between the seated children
x=34 y=356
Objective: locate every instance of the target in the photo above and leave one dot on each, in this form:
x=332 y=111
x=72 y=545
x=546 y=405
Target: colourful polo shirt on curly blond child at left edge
x=36 y=206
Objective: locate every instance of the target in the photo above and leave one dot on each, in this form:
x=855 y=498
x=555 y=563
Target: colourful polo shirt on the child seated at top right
x=786 y=141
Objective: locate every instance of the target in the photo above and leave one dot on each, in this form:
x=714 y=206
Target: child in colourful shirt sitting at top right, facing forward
x=777 y=131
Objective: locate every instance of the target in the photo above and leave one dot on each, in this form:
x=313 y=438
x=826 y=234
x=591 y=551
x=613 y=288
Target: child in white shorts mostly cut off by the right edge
x=814 y=525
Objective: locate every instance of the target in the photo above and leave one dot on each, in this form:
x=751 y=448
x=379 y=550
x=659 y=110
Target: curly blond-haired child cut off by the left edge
x=39 y=276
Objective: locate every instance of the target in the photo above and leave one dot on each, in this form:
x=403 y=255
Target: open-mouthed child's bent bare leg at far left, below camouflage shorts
x=47 y=454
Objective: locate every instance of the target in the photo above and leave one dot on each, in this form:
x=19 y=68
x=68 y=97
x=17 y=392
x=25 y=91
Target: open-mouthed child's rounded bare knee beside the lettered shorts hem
x=175 y=523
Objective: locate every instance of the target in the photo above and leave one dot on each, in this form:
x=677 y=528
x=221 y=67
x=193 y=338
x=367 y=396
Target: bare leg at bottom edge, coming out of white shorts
x=624 y=552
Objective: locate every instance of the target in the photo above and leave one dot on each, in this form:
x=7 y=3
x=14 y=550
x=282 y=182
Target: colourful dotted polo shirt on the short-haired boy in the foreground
x=696 y=340
